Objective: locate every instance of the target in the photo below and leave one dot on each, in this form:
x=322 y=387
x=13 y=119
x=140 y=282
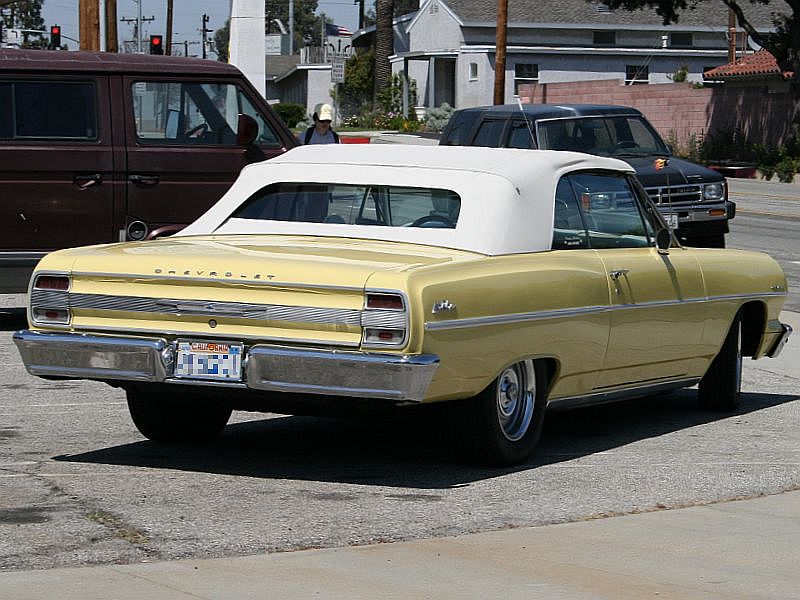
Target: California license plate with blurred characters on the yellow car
x=209 y=360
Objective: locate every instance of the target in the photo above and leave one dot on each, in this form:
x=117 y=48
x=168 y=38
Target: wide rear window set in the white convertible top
x=390 y=206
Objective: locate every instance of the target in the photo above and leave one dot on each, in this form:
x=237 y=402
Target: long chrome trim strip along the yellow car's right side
x=580 y=311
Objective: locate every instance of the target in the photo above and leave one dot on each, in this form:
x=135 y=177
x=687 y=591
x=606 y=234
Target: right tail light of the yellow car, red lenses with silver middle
x=384 y=320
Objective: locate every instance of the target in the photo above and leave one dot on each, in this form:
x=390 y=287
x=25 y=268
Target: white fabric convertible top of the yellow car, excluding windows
x=506 y=194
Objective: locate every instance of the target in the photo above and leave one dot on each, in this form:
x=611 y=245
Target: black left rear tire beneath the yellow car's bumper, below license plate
x=179 y=417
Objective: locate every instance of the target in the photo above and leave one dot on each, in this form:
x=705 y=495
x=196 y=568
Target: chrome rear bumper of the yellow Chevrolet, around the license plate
x=275 y=368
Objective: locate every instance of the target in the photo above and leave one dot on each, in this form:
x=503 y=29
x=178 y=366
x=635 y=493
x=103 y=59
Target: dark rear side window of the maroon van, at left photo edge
x=48 y=110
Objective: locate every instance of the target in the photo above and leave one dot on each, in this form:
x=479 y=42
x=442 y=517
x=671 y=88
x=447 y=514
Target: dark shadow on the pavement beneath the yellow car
x=414 y=450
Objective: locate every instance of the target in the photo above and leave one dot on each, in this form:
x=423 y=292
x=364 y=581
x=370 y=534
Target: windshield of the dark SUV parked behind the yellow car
x=602 y=136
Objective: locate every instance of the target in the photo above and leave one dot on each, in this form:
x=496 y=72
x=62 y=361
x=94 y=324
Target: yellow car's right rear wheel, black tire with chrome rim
x=501 y=425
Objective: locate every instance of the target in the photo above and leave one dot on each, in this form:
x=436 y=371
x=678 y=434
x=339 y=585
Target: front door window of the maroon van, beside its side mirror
x=192 y=113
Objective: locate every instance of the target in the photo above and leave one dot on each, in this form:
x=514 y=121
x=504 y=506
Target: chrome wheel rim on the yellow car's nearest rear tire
x=516 y=396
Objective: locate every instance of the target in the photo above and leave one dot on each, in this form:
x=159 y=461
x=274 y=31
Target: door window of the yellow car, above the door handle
x=611 y=211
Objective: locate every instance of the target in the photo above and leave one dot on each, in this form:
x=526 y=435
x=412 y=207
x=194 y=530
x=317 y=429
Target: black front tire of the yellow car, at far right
x=720 y=388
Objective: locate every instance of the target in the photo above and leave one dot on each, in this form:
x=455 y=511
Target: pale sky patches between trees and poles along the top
x=186 y=20
